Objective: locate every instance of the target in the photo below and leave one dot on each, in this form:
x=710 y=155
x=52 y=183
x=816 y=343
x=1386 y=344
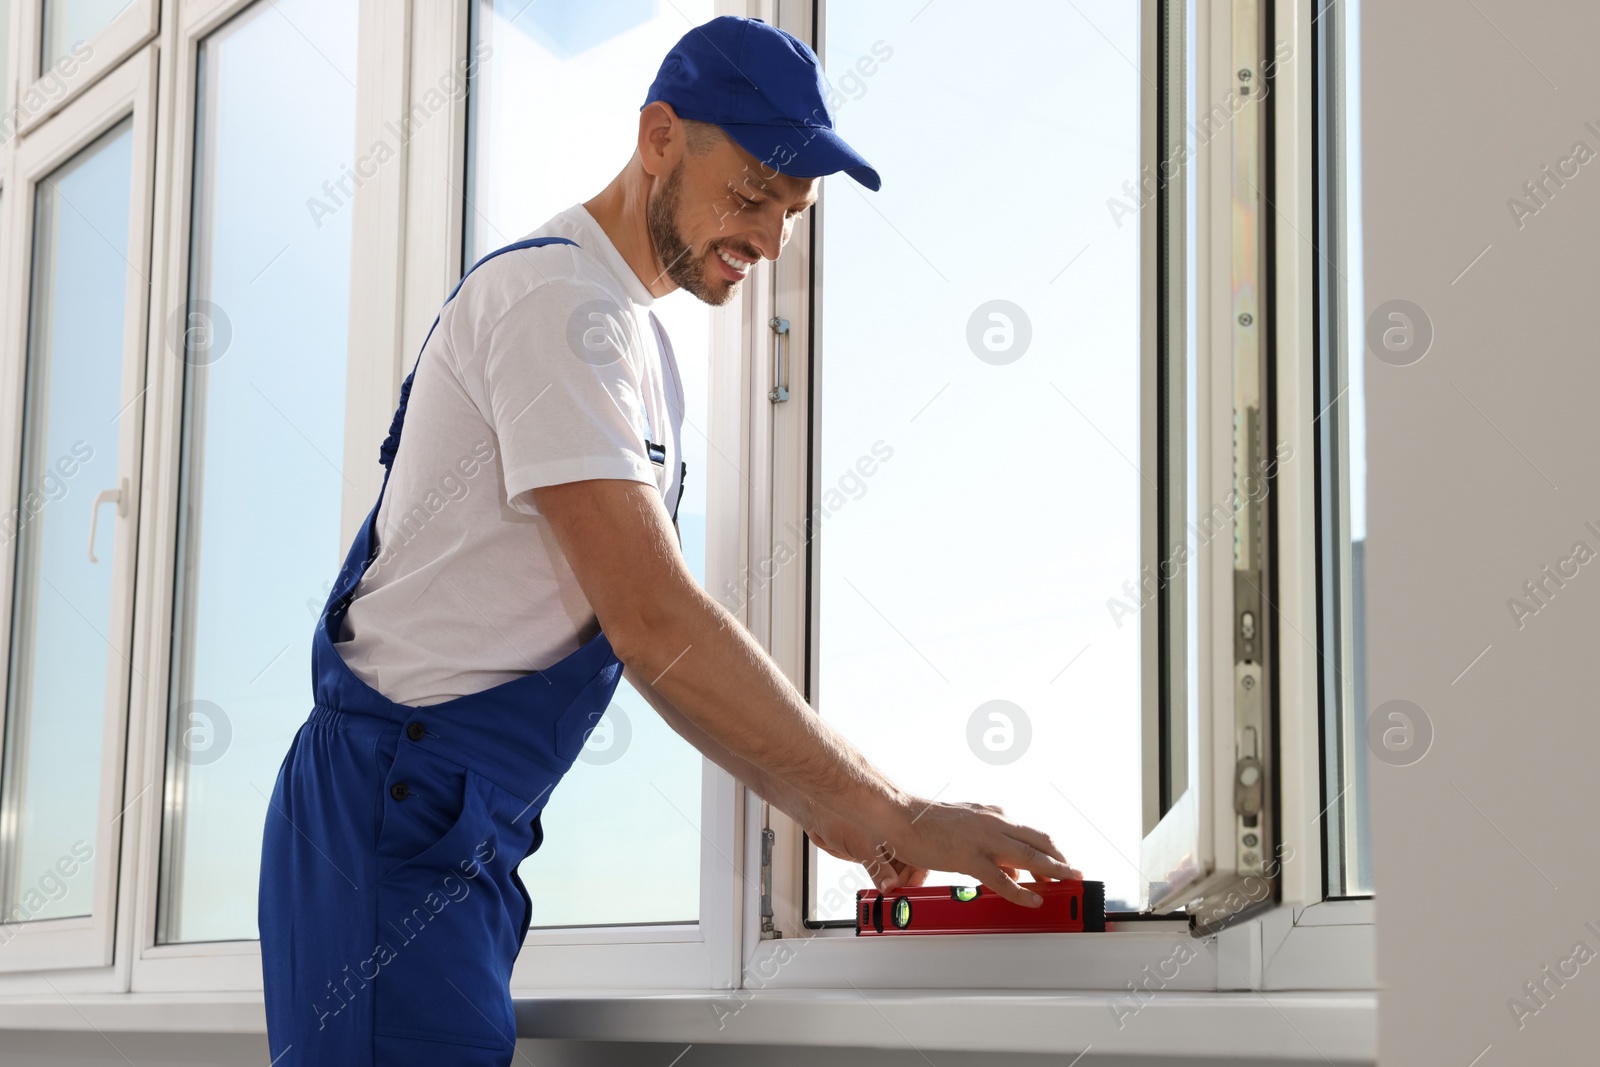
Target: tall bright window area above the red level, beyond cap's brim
x=977 y=495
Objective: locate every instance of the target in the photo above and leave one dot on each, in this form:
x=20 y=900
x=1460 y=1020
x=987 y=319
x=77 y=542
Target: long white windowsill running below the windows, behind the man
x=1311 y=1026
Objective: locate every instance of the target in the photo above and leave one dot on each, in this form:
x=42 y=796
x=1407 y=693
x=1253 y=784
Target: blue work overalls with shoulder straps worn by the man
x=391 y=911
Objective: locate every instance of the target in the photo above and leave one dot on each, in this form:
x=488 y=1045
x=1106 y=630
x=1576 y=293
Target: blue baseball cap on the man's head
x=766 y=89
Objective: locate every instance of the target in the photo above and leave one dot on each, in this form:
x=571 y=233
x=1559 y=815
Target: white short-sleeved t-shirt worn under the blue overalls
x=546 y=367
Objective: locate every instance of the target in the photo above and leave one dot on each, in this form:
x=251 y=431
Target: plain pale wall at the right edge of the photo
x=1482 y=471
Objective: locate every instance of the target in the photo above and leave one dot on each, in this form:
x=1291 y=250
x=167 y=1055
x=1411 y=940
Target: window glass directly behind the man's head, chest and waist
x=554 y=118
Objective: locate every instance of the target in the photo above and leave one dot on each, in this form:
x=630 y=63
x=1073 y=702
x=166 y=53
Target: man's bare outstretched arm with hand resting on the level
x=620 y=543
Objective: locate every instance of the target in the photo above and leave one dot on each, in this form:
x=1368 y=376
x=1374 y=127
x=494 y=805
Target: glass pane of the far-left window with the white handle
x=62 y=668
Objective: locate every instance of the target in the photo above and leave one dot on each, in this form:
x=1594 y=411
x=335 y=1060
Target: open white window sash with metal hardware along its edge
x=1210 y=748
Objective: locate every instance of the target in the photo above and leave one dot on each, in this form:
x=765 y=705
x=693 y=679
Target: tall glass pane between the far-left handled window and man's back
x=265 y=383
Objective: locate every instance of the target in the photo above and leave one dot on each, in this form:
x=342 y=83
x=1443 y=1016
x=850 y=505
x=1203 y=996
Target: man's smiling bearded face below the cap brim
x=724 y=204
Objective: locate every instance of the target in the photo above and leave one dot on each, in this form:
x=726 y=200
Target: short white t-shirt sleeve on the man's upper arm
x=562 y=390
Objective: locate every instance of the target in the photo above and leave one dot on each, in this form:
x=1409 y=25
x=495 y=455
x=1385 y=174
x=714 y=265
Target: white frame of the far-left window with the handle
x=87 y=941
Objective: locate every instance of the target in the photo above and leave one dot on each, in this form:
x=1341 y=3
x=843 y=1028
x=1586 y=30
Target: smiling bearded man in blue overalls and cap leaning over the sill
x=524 y=564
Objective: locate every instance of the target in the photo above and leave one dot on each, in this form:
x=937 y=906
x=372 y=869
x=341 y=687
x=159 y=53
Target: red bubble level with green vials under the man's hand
x=1071 y=908
